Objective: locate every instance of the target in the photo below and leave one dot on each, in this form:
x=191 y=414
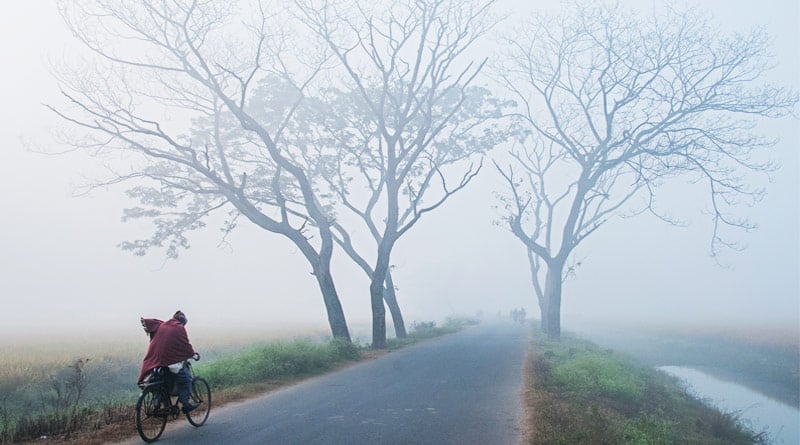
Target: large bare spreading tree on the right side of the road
x=612 y=105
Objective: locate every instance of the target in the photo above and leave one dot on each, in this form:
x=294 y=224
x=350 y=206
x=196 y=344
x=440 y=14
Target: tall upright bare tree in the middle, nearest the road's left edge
x=407 y=115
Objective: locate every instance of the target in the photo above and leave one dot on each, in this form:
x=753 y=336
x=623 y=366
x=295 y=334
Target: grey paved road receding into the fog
x=463 y=388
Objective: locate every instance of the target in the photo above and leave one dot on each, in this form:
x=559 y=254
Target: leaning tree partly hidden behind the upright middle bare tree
x=356 y=175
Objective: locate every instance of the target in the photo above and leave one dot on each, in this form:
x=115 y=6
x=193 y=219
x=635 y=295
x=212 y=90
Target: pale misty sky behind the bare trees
x=59 y=264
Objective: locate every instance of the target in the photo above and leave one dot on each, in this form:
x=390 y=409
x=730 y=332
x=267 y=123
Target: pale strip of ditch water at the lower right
x=781 y=421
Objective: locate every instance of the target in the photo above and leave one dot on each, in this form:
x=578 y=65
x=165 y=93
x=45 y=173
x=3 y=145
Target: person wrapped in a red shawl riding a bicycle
x=170 y=347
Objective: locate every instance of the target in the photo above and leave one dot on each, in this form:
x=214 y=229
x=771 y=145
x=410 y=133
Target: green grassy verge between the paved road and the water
x=580 y=393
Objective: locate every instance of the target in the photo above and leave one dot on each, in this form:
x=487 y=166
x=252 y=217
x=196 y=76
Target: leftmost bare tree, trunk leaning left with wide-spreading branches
x=176 y=89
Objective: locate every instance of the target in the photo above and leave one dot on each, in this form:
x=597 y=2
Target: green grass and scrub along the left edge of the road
x=47 y=397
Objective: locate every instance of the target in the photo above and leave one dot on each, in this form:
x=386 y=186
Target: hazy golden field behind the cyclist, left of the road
x=56 y=384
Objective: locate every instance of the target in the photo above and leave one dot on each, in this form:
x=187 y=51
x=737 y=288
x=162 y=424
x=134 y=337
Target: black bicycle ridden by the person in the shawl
x=158 y=402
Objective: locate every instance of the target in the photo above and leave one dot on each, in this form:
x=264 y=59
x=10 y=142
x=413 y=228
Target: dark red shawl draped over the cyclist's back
x=169 y=343
